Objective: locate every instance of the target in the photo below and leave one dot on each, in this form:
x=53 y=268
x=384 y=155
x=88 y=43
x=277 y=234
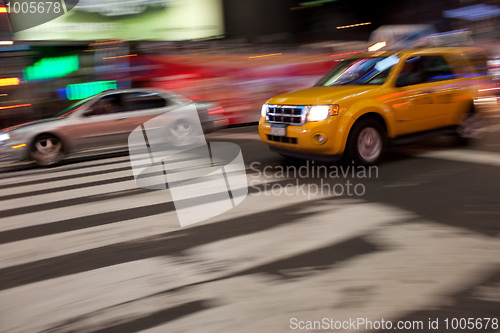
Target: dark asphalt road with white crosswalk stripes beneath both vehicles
x=413 y=242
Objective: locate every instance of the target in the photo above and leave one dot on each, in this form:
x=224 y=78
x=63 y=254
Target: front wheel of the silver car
x=47 y=150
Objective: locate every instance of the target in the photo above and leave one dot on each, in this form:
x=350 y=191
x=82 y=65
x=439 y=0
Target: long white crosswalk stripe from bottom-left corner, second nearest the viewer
x=104 y=287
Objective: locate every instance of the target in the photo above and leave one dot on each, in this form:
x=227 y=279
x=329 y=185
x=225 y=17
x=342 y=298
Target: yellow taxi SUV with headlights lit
x=375 y=99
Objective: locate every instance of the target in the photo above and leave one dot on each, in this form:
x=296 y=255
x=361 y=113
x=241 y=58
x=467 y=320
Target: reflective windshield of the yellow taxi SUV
x=359 y=71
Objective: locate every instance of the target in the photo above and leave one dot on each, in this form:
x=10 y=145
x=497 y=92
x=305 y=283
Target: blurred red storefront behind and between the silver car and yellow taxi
x=240 y=83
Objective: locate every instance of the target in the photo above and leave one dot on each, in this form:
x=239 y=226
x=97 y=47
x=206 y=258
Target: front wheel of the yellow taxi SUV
x=366 y=142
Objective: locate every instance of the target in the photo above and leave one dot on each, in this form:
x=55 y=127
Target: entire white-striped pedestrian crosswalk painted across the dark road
x=78 y=258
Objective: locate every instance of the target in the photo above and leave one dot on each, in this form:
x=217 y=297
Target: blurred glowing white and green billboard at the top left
x=160 y=20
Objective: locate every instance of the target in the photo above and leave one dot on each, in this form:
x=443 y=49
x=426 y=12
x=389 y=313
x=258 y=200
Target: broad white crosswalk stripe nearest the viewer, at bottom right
x=385 y=284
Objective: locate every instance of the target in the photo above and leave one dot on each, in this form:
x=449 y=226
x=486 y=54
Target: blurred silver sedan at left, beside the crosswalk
x=100 y=124
